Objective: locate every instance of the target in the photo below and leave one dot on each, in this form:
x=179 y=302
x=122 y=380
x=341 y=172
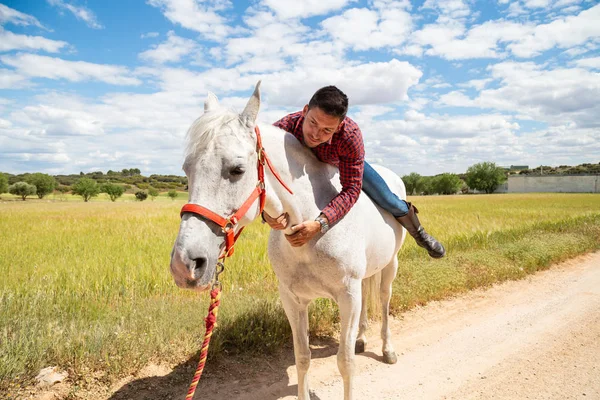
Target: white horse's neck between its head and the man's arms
x=290 y=159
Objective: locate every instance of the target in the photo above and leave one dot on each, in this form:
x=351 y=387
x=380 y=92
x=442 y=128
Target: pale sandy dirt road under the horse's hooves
x=538 y=338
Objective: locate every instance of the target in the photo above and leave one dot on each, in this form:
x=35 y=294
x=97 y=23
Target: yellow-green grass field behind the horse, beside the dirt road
x=86 y=286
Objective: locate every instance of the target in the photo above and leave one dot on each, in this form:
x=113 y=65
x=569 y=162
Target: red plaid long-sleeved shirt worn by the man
x=346 y=151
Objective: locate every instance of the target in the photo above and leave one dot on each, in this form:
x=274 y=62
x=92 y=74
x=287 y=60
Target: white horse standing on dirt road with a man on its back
x=221 y=168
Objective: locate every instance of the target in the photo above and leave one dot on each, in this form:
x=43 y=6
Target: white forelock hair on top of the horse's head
x=204 y=129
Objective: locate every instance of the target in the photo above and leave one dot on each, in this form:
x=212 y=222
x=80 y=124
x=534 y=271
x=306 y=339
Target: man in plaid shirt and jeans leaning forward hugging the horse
x=335 y=139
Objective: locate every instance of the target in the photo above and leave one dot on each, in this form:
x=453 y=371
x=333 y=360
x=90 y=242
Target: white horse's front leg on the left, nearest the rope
x=297 y=314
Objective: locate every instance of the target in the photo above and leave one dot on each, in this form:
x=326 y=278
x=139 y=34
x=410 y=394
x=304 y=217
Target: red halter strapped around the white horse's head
x=228 y=224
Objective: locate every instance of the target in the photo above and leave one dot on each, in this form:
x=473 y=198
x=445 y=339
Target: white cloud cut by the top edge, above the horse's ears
x=200 y=17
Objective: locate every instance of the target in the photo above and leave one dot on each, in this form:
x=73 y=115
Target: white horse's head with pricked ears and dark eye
x=221 y=166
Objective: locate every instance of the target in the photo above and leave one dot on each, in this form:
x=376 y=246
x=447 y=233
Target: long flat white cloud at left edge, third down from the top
x=33 y=65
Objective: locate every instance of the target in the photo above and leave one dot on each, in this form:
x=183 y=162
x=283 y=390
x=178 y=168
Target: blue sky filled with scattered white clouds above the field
x=435 y=85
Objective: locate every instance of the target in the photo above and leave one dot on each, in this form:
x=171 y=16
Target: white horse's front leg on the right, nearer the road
x=350 y=305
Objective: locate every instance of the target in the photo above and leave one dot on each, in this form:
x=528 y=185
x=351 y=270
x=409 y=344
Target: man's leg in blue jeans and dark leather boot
x=376 y=188
